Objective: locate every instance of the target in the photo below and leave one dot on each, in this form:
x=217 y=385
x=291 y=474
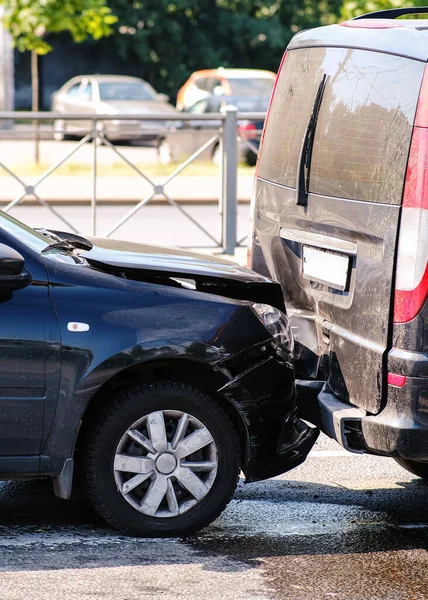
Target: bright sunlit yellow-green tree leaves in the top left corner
x=28 y=21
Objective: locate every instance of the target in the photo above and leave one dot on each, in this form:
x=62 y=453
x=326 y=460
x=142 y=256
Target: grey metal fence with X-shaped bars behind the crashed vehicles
x=226 y=137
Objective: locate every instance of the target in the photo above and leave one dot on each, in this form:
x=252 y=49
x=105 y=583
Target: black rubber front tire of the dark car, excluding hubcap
x=109 y=429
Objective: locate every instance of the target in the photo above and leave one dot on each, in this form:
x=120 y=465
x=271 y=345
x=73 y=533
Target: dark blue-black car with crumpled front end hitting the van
x=157 y=373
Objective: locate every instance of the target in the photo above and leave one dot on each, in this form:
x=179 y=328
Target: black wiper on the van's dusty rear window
x=303 y=171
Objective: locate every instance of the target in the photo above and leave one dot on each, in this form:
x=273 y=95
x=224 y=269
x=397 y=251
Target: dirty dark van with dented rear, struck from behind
x=340 y=219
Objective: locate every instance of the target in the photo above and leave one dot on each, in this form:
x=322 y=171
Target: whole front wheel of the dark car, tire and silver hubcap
x=159 y=504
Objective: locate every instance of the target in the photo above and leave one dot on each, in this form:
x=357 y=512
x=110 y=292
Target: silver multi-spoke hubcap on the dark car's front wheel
x=165 y=463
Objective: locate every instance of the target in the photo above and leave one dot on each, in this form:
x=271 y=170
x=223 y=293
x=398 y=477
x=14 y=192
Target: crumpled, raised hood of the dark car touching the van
x=164 y=265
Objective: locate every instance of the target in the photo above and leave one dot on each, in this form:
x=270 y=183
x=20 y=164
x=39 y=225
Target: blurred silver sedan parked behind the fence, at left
x=111 y=94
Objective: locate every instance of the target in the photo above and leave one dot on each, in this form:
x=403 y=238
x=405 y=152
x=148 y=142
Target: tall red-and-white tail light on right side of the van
x=411 y=278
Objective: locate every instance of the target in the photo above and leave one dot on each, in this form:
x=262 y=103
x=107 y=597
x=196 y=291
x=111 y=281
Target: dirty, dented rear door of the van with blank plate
x=333 y=249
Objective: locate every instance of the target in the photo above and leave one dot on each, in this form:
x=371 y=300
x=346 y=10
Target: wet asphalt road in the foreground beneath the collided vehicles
x=339 y=527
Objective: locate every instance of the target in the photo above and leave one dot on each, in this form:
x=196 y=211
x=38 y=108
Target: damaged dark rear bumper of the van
x=399 y=430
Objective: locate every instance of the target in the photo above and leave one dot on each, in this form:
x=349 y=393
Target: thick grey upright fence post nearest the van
x=229 y=172
